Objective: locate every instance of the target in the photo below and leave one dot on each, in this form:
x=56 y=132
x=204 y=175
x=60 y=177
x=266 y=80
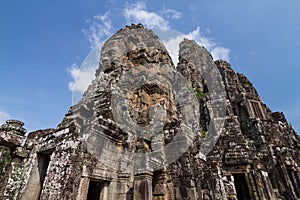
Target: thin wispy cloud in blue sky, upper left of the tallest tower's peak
x=99 y=29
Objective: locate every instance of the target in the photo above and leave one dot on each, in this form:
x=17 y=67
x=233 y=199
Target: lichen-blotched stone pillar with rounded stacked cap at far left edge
x=13 y=158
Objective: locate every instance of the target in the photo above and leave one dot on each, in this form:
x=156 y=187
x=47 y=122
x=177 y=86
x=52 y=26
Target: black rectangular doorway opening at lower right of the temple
x=241 y=187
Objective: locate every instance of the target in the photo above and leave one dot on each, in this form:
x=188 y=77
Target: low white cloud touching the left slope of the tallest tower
x=82 y=77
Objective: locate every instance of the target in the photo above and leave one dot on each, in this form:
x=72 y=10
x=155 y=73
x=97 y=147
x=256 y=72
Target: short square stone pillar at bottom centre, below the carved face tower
x=143 y=186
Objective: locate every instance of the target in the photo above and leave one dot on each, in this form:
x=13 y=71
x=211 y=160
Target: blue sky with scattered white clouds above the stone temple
x=43 y=43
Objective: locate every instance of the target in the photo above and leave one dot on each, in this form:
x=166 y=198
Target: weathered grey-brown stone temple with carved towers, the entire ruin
x=147 y=129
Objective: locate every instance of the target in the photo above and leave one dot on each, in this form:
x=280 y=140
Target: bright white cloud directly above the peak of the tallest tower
x=138 y=13
